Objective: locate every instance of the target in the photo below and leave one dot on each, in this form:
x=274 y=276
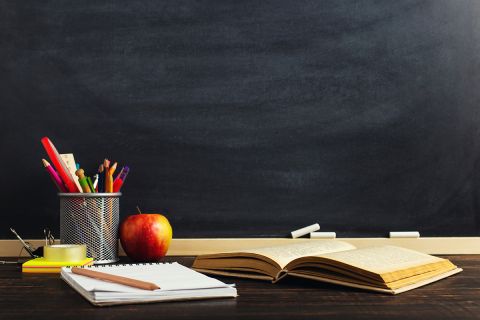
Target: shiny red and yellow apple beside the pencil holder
x=145 y=237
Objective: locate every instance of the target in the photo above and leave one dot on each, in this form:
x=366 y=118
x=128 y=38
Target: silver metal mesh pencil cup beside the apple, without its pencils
x=91 y=219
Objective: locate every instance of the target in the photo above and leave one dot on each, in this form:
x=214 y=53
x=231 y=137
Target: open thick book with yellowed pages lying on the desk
x=385 y=269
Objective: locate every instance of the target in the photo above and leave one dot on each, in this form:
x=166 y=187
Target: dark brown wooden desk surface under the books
x=27 y=296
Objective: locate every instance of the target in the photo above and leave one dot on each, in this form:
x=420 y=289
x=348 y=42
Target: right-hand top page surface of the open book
x=383 y=259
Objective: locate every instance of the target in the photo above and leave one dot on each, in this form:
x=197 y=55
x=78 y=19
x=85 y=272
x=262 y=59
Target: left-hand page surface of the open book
x=284 y=254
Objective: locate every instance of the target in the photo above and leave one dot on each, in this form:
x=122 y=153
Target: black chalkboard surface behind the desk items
x=249 y=118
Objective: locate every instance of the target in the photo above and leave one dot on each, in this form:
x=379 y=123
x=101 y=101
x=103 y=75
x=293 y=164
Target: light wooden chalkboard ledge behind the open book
x=193 y=247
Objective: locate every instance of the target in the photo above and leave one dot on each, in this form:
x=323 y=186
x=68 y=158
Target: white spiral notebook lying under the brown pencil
x=176 y=281
